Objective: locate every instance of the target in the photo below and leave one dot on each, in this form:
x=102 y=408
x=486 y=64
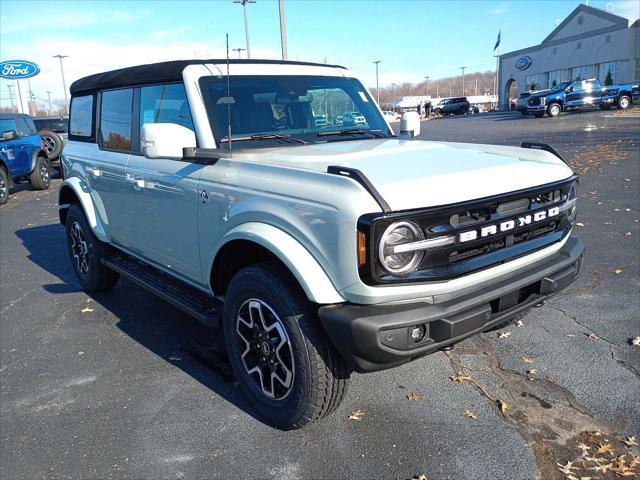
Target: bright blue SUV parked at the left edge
x=21 y=154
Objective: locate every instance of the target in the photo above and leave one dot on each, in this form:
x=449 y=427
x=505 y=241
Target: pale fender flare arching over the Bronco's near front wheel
x=254 y=242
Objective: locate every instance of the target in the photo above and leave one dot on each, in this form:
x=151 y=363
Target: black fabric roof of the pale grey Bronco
x=161 y=72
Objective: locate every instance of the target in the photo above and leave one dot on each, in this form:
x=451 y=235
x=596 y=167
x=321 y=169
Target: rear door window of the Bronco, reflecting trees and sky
x=115 y=119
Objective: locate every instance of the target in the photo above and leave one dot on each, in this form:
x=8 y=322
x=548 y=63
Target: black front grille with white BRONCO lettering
x=467 y=256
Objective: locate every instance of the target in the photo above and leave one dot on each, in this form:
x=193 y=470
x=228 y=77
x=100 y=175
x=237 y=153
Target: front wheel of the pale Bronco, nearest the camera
x=282 y=358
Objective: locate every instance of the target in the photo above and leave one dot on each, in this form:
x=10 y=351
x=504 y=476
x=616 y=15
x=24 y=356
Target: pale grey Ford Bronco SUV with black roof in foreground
x=320 y=248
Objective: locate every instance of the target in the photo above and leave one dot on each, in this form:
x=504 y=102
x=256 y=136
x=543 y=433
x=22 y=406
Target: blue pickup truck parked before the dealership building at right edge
x=583 y=93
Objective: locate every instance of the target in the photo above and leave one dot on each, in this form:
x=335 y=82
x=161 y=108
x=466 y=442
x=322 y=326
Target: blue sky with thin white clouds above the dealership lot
x=412 y=39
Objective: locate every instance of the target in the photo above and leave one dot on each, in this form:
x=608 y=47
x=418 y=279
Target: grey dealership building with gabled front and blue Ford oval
x=589 y=43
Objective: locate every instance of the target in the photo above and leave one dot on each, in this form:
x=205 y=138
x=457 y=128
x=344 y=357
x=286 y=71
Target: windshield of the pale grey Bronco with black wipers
x=273 y=108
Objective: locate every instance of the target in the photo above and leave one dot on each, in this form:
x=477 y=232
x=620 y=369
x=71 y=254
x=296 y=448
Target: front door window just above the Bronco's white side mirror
x=165 y=104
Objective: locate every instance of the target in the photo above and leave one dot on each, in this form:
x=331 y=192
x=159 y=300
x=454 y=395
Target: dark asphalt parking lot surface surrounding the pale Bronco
x=122 y=385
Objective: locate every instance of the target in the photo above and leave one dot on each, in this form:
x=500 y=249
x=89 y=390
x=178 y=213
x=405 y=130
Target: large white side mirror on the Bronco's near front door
x=166 y=140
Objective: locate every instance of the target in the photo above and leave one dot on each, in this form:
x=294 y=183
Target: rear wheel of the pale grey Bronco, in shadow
x=96 y=277
